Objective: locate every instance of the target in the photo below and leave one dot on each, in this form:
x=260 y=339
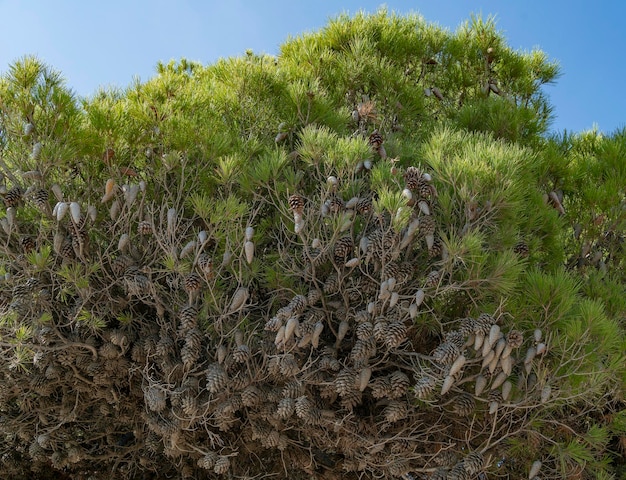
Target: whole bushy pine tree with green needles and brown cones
x=364 y=256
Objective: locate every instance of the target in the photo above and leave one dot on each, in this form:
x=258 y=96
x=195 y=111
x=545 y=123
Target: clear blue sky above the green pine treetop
x=96 y=43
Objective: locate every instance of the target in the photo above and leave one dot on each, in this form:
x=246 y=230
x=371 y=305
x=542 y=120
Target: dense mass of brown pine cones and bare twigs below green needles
x=131 y=367
